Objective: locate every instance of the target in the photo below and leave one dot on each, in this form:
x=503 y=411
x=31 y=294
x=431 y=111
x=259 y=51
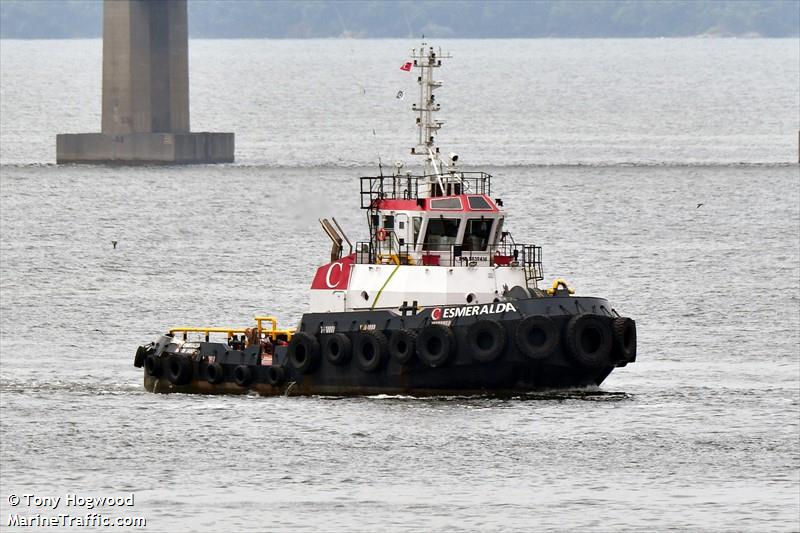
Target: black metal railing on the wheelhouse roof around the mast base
x=408 y=187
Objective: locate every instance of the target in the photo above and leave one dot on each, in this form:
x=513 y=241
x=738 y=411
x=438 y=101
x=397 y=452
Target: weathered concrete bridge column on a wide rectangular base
x=145 y=92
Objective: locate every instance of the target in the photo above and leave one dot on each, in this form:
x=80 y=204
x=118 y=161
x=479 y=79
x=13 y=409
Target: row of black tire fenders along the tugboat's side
x=589 y=341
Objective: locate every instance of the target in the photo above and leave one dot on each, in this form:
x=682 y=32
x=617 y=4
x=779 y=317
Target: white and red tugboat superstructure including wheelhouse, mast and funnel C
x=435 y=238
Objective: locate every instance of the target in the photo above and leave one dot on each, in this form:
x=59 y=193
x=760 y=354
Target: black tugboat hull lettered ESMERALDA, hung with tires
x=490 y=353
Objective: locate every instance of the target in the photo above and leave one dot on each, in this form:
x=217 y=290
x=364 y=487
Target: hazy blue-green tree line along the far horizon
x=42 y=19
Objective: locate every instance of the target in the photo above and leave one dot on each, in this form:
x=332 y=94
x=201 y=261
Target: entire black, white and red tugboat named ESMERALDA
x=440 y=300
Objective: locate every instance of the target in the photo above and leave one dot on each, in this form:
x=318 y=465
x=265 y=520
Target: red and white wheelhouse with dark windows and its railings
x=439 y=220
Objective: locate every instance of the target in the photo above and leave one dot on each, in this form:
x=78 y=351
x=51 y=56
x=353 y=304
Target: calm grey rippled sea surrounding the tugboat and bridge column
x=601 y=150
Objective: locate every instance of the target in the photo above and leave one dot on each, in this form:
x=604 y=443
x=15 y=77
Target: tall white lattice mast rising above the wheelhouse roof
x=426 y=59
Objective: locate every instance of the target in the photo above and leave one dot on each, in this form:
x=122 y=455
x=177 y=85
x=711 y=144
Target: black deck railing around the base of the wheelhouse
x=528 y=256
